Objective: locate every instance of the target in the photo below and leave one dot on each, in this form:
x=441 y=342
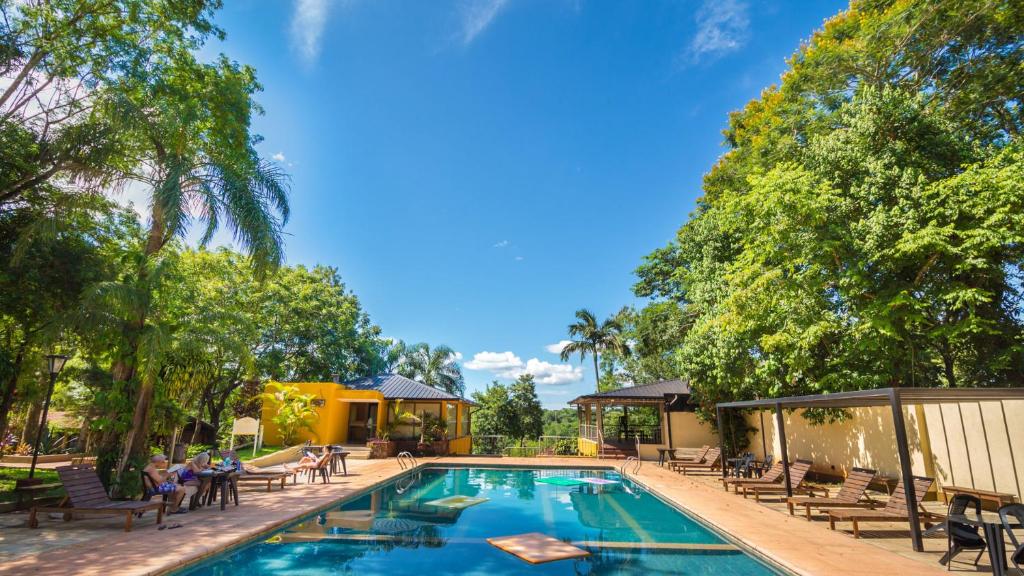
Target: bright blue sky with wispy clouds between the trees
x=479 y=171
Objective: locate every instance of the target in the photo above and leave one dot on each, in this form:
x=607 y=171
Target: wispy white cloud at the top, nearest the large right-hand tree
x=722 y=28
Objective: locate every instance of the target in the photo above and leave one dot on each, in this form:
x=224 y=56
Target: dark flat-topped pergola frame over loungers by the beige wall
x=895 y=399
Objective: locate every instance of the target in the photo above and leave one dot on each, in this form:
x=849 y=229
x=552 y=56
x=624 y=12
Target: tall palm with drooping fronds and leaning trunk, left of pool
x=200 y=162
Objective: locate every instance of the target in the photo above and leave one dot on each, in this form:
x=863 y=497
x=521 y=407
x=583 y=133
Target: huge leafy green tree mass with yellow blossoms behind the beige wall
x=863 y=230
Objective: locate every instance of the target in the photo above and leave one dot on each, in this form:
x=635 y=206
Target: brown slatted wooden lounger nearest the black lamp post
x=87 y=496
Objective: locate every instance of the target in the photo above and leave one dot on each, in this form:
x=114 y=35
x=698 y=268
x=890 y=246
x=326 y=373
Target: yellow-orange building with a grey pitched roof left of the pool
x=359 y=410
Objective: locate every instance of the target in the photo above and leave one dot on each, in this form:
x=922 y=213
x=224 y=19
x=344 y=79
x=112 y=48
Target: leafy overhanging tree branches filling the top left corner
x=62 y=62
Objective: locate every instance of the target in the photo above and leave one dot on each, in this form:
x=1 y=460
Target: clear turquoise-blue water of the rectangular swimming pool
x=396 y=531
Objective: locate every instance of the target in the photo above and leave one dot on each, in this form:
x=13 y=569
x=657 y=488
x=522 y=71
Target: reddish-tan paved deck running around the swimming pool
x=101 y=547
